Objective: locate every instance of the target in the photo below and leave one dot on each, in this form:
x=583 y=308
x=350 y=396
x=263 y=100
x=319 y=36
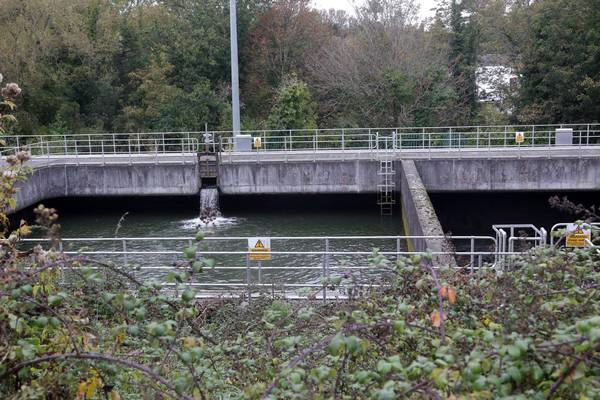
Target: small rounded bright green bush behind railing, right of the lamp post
x=294 y=107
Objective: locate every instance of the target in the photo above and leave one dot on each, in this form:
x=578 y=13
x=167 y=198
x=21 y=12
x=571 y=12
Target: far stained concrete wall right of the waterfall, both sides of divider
x=360 y=176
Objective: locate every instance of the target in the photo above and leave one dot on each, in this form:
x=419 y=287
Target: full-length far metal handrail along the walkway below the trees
x=424 y=138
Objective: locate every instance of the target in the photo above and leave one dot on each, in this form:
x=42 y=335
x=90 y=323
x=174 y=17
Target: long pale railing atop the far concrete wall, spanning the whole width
x=416 y=141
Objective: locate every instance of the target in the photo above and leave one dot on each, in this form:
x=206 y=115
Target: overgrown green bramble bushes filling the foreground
x=532 y=332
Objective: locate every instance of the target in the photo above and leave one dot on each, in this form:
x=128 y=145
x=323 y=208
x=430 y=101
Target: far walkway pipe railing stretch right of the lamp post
x=421 y=141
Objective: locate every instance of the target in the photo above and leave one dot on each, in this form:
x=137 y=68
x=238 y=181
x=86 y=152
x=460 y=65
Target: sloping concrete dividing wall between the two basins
x=418 y=215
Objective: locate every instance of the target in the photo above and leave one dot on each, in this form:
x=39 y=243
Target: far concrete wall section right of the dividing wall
x=474 y=175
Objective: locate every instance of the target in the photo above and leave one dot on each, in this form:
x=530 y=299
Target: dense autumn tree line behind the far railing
x=135 y=65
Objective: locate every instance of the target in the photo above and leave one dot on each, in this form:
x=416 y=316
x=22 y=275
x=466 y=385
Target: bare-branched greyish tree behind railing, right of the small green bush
x=387 y=71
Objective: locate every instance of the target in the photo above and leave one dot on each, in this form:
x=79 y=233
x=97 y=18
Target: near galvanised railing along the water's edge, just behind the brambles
x=312 y=269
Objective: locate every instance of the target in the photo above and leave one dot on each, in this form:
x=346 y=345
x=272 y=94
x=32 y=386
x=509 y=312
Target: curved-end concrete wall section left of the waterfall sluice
x=109 y=180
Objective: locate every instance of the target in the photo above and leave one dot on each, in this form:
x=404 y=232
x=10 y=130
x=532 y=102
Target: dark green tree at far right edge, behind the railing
x=561 y=69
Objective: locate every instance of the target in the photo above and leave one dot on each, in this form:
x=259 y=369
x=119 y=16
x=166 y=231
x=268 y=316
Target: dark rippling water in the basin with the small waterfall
x=273 y=216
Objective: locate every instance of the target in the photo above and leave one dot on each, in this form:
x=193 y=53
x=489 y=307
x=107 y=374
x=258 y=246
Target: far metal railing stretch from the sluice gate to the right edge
x=419 y=142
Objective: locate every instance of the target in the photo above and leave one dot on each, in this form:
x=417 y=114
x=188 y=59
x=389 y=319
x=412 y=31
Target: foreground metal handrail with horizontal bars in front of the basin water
x=317 y=258
